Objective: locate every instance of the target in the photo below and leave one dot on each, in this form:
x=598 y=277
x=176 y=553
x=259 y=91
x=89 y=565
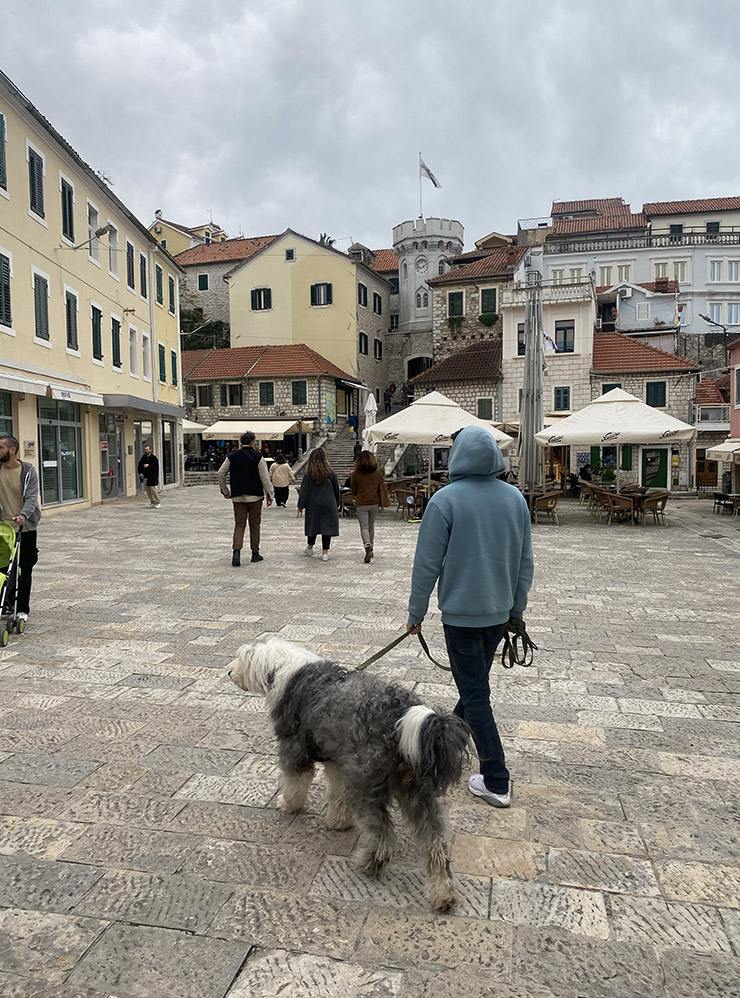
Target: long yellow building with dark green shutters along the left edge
x=89 y=321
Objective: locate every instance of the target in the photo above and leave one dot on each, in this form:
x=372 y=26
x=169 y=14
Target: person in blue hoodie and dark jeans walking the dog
x=476 y=539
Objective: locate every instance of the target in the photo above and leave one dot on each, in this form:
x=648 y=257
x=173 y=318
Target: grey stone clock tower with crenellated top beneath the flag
x=424 y=248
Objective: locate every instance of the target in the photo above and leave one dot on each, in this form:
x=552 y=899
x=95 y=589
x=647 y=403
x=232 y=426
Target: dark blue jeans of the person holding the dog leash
x=471 y=651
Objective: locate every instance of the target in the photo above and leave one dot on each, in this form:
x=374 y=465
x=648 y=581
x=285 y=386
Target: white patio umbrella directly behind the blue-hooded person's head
x=430 y=420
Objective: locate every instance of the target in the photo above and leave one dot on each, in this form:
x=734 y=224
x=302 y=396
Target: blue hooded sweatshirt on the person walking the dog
x=476 y=538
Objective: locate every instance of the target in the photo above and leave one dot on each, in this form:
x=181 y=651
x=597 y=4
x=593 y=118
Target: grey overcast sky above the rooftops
x=311 y=113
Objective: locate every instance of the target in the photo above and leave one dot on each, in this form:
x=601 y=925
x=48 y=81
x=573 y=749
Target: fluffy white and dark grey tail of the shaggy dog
x=434 y=743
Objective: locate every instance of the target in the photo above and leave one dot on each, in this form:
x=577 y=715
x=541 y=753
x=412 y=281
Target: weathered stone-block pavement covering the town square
x=141 y=850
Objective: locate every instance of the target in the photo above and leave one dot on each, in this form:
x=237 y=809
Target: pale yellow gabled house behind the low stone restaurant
x=296 y=290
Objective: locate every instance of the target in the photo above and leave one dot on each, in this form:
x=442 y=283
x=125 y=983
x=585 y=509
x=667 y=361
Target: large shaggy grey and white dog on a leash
x=376 y=741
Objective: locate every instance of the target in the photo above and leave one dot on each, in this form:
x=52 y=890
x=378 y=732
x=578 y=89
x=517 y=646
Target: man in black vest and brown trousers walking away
x=249 y=483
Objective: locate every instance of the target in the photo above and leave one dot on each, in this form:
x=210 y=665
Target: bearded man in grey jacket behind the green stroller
x=19 y=506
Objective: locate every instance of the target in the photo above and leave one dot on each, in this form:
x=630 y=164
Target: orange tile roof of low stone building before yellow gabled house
x=284 y=360
